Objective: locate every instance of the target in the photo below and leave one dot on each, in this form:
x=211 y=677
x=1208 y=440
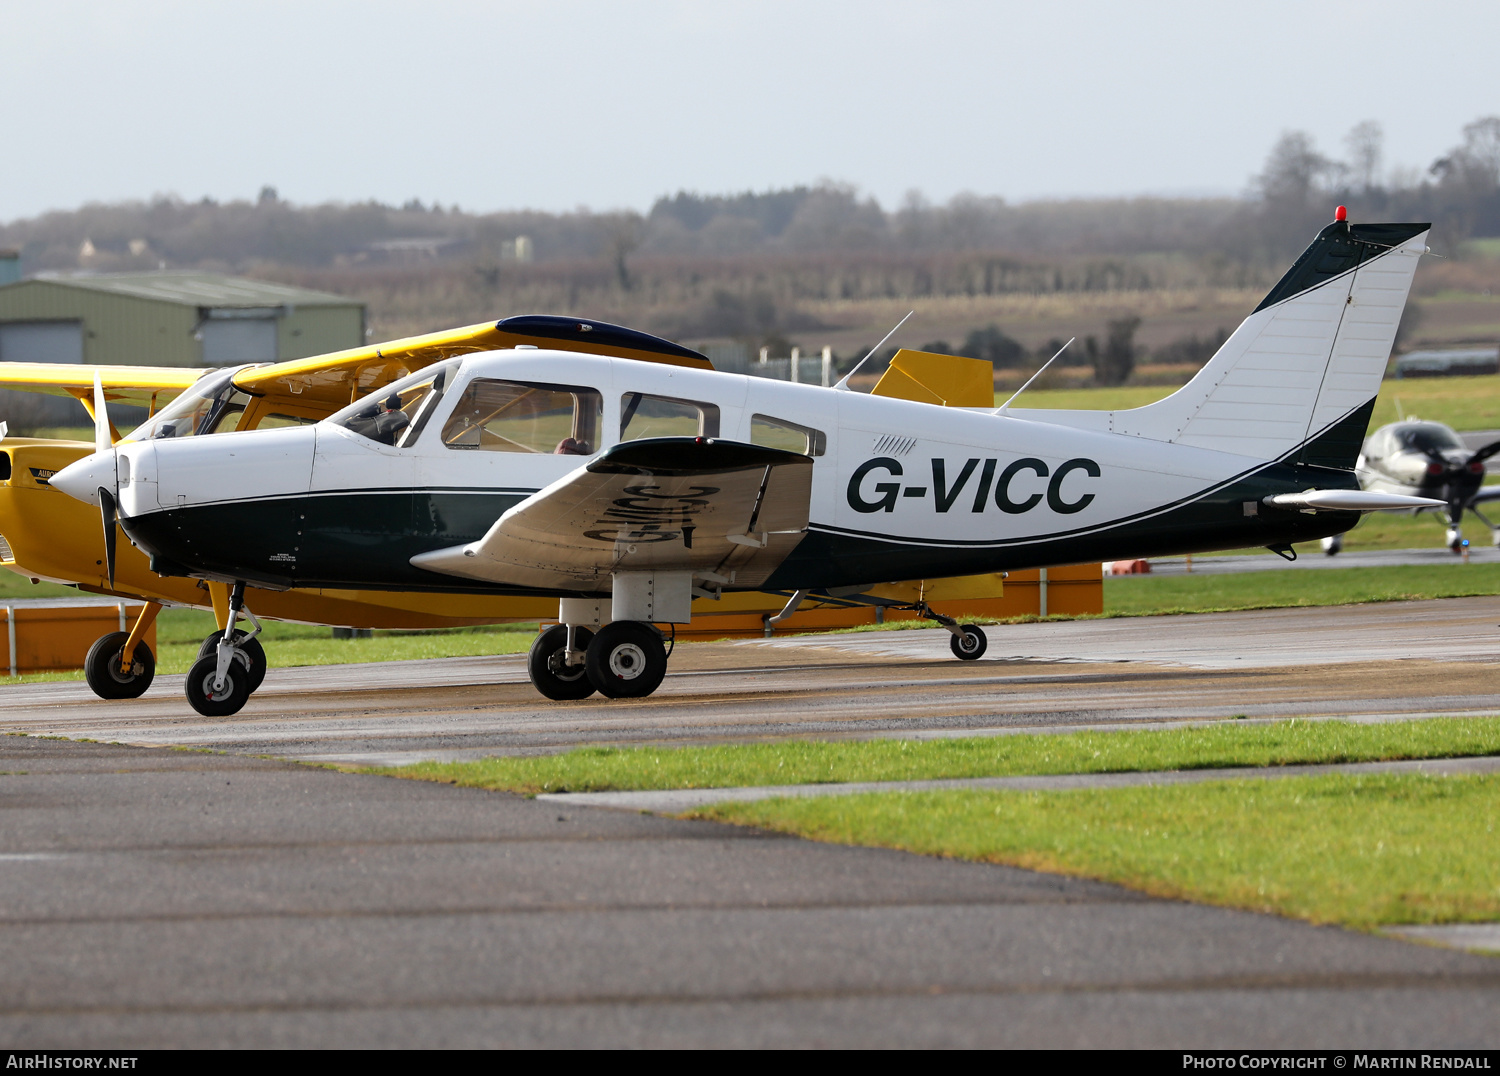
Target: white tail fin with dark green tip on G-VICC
x=1300 y=376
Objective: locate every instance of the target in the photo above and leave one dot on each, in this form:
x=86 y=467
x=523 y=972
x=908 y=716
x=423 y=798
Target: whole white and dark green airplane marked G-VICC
x=625 y=488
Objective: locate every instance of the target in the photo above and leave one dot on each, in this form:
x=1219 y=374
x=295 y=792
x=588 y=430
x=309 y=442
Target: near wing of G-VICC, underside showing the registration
x=722 y=509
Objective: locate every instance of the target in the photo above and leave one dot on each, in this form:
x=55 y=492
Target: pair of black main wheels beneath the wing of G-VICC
x=626 y=660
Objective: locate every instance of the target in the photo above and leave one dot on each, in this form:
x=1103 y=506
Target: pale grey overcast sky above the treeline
x=608 y=104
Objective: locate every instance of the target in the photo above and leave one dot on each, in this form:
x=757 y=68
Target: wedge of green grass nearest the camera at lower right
x=1363 y=852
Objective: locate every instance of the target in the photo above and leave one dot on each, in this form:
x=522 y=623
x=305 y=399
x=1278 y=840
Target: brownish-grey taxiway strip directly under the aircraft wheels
x=1409 y=658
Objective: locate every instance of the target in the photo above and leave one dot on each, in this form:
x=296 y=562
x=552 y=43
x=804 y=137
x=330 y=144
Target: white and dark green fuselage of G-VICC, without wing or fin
x=901 y=490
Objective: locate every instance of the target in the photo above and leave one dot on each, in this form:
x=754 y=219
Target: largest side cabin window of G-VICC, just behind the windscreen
x=523 y=416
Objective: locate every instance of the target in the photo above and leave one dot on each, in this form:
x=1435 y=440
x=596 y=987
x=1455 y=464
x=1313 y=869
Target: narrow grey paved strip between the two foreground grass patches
x=670 y=802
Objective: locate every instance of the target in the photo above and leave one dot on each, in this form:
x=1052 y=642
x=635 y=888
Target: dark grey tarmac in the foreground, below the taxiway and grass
x=157 y=900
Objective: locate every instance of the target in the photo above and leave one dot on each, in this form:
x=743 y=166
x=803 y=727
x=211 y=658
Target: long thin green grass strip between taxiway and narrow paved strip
x=808 y=762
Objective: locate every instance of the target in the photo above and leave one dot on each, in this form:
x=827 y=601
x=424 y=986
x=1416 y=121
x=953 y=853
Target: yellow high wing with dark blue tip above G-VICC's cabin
x=331 y=382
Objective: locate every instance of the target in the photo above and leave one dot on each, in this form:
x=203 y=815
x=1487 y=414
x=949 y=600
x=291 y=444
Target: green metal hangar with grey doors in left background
x=170 y=319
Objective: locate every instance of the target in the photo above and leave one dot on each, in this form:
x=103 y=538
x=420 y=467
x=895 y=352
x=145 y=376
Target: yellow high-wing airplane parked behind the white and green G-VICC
x=49 y=536
